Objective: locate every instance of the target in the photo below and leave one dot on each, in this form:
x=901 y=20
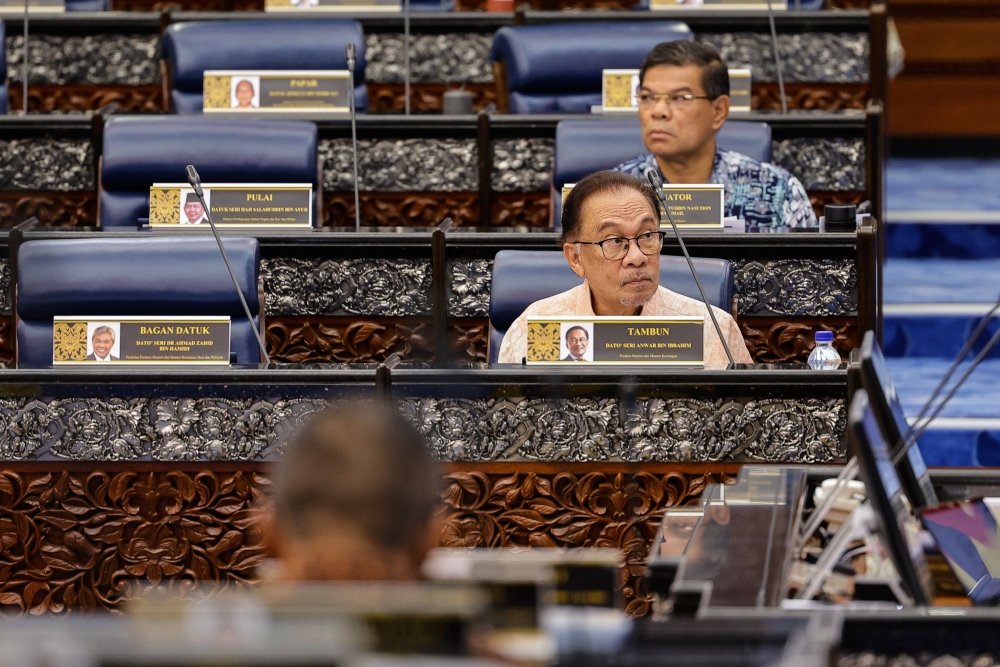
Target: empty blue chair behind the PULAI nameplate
x=140 y=151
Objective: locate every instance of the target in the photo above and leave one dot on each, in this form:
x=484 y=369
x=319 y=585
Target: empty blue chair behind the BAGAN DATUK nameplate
x=184 y=275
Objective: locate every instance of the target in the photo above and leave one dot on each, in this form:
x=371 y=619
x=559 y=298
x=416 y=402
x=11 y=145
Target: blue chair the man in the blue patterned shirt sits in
x=586 y=146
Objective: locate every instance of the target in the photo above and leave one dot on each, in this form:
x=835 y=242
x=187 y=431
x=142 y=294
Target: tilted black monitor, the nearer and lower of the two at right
x=897 y=528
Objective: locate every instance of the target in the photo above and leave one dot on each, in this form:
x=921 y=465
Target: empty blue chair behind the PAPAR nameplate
x=191 y=48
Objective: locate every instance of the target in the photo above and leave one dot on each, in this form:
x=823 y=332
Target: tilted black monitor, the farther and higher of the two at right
x=892 y=420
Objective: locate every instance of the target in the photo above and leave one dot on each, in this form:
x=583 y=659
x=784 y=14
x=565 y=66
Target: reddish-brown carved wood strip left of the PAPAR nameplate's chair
x=82 y=97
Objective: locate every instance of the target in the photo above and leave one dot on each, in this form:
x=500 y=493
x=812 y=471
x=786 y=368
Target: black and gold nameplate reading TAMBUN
x=676 y=341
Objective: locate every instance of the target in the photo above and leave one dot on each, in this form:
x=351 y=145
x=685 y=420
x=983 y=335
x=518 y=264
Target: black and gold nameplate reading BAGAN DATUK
x=140 y=340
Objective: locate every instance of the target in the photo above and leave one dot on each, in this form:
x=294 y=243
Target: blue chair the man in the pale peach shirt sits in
x=521 y=277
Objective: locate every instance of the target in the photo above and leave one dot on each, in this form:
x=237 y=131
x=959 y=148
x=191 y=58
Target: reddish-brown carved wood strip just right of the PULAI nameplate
x=401 y=209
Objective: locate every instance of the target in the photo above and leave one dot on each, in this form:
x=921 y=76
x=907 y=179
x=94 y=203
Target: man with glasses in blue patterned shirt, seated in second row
x=683 y=102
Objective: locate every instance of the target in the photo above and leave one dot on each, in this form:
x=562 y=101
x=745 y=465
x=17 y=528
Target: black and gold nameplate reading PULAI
x=278 y=206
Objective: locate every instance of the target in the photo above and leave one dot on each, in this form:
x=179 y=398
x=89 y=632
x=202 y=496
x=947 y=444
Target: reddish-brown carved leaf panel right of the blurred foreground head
x=596 y=509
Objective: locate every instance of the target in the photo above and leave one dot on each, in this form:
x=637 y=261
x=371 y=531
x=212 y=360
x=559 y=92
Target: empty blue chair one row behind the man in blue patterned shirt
x=557 y=68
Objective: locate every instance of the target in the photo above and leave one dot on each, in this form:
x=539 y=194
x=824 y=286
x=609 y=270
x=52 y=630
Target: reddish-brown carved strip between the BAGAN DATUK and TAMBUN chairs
x=369 y=340
